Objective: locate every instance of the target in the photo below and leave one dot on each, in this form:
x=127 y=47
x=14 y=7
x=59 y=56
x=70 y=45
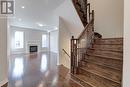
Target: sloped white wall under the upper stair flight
x=71 y=19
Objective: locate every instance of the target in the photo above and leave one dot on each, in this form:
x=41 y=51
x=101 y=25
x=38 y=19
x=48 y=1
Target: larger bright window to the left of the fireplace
x=19 y=39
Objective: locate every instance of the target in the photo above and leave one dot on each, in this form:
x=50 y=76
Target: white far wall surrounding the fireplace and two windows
x=31 y=36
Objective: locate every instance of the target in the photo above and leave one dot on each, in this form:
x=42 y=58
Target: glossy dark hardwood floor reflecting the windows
x=38 y=70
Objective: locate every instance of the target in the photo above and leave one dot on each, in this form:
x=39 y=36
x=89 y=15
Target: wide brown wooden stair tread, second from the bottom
x=104 y=72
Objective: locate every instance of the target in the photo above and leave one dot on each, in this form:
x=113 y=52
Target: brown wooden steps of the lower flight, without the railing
x=102 y=65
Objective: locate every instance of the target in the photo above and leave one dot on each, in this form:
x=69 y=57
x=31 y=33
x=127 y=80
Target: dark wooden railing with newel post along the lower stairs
x=79 y=46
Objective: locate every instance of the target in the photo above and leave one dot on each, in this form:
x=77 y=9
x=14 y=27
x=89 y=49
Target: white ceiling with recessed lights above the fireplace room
x=32 y=13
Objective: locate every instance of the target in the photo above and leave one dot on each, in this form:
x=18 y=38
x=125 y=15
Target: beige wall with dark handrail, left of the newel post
x=64 y=43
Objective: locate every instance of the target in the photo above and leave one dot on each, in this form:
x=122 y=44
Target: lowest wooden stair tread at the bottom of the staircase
x=95 y=82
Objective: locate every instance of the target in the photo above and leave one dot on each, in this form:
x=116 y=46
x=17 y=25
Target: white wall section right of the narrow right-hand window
x=54 y=41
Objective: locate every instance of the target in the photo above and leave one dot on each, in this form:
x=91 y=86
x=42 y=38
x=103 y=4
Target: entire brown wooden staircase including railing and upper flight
x=95 y=61
